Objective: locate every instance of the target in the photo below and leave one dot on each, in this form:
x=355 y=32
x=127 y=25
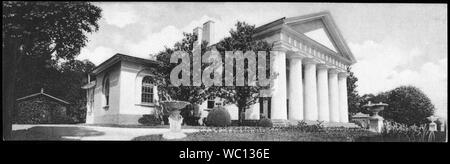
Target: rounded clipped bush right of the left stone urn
x=219 y=116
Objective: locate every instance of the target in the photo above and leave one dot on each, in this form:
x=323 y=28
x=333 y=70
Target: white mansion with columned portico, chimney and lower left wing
x=311 y=60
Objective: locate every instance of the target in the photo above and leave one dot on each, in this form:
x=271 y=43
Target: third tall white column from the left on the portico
x=310 y=97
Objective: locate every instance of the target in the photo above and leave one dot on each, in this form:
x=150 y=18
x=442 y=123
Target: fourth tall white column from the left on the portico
x=322 y=92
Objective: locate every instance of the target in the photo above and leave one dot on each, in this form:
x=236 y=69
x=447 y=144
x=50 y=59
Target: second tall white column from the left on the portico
x=295 y=89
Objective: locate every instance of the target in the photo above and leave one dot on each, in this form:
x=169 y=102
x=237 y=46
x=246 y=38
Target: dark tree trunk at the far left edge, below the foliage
x=10 y=51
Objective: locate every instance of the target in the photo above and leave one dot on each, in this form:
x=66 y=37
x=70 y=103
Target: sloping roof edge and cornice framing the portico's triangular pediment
x=325 y=17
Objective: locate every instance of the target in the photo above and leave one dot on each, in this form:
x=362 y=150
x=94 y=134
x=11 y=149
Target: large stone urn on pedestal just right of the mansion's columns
x=375 y=121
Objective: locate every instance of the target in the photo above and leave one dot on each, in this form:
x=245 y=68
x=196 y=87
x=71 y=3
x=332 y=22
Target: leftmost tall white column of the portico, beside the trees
x=278 y=104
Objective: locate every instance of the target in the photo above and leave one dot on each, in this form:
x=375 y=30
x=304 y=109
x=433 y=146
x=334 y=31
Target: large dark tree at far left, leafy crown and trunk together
x=56 y=29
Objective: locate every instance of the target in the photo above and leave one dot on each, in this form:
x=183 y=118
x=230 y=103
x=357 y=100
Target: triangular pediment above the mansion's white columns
x=321 y=28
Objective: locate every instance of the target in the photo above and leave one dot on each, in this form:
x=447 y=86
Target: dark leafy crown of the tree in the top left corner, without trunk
x=49 y=28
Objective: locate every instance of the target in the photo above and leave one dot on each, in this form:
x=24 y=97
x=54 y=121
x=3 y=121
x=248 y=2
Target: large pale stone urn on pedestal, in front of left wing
x=175 y=119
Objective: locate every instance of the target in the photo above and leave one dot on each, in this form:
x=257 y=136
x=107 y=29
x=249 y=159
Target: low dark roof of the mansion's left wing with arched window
x=121 y=57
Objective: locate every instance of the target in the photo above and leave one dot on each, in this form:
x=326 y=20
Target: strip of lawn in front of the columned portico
x=270 y=134
